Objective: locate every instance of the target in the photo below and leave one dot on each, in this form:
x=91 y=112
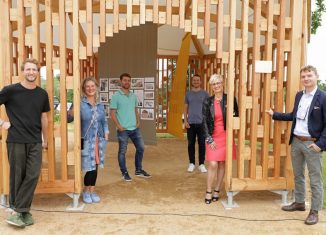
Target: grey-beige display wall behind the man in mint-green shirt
x=129 y=51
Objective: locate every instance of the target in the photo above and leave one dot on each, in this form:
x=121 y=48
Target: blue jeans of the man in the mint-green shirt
x=138 y=141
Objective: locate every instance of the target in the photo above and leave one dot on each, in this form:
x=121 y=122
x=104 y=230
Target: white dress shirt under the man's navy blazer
x=301 y=127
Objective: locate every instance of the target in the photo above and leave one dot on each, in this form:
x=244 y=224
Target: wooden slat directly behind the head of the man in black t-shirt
x=36 y=32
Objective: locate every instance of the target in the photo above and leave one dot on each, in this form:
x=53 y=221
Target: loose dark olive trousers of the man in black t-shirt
x=25 y=163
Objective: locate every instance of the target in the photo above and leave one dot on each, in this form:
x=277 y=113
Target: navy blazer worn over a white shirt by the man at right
x=316 y=117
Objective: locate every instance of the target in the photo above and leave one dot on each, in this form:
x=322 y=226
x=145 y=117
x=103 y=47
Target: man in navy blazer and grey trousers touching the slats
x=308 y=140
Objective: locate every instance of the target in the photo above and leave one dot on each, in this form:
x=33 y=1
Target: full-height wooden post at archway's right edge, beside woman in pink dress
x=230 y=92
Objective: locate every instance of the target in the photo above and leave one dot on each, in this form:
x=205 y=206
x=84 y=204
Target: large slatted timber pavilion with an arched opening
x=257 y=45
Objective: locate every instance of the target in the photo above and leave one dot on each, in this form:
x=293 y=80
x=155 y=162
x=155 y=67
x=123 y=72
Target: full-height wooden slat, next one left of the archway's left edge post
x=63 y=92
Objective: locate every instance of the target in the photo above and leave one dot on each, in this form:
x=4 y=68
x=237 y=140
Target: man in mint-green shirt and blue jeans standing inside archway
x=124 y=114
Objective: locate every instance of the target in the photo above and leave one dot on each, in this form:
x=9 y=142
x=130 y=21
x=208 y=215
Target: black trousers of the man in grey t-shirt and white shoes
x=192 y=132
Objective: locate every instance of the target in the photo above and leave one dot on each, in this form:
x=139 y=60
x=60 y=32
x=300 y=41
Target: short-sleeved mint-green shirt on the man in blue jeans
x=125 y=106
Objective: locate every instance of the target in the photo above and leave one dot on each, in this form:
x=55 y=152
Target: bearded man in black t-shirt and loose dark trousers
x=26 y=105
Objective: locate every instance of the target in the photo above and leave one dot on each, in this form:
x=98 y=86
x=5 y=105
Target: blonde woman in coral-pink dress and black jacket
x=214 y=122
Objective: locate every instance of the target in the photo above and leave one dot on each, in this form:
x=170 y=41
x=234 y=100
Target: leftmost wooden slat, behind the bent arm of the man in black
x=6 y=73
